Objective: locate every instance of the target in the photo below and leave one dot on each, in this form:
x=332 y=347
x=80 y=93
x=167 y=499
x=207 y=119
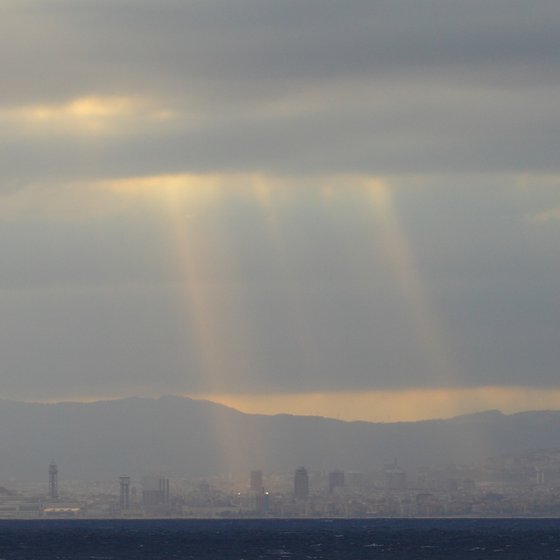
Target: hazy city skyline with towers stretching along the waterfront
x=511 y=485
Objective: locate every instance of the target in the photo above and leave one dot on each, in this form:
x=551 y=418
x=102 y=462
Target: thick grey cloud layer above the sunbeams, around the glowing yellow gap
x=310 y=86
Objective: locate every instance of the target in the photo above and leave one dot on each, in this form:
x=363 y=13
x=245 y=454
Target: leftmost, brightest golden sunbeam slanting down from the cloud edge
x=211 y=309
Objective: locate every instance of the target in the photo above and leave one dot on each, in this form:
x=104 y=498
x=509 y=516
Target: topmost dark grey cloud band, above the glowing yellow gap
x=270 y=46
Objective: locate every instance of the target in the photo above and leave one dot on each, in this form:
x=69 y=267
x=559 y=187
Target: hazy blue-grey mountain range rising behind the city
x=186 y=437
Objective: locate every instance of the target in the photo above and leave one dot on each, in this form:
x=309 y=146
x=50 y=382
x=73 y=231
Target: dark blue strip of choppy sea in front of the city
x=362 y=539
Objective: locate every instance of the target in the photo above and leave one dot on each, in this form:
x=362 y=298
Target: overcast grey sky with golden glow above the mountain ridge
x=346 y=208
